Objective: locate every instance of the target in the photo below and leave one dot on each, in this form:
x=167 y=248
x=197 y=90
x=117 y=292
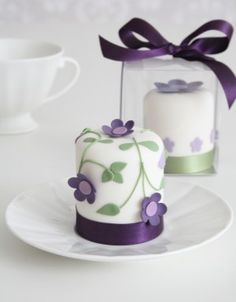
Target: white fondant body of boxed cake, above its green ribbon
x=184 y=120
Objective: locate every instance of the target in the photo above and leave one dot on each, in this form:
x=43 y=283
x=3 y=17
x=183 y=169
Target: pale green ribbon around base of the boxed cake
x=189 y=164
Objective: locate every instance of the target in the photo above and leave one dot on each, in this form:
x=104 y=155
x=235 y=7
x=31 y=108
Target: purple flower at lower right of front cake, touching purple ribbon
x=152 y=209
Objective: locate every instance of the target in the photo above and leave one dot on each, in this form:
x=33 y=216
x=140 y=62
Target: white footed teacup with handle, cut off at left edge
x=27 y=71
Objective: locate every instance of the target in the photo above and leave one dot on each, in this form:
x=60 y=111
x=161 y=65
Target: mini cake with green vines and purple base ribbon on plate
x=119 y=184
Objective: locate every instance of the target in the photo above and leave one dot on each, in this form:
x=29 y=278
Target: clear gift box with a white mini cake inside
x=178 y=100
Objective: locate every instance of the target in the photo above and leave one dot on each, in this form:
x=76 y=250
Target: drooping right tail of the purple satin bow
x=226 y=77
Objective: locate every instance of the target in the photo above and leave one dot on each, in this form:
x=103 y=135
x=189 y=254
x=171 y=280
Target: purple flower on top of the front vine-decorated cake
x=118 y=128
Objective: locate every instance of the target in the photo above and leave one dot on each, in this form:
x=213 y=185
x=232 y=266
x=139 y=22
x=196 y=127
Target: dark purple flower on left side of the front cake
x=84 y=188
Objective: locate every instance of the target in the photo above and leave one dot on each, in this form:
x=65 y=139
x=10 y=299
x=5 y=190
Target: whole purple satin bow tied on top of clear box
x=192 y=48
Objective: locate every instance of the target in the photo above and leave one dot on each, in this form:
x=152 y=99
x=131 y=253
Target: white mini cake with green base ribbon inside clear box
x=183 y=114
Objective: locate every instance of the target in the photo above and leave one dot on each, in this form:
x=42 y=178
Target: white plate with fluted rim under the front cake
x=45 y=216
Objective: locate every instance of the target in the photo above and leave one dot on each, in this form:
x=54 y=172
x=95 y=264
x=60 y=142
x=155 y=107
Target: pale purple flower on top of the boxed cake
x=178 y=85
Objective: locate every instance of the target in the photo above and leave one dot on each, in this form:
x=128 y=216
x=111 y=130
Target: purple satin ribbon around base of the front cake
x=116 y=234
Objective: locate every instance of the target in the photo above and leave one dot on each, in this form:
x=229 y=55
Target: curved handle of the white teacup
x=71 y=83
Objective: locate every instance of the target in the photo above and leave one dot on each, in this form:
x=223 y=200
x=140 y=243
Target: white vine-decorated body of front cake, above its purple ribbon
x=119 y=172
